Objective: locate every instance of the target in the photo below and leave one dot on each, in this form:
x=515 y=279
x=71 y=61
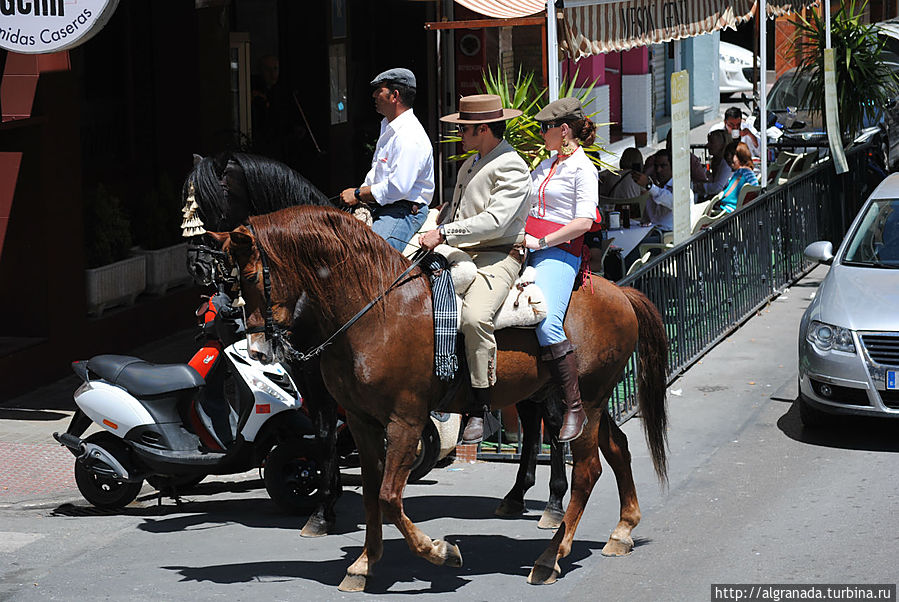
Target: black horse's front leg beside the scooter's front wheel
x=322 y=520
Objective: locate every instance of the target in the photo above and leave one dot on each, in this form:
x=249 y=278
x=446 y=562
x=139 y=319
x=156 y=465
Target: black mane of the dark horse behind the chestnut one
x=233 y=186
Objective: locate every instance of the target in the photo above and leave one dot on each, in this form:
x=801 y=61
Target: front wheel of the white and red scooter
x=293 y=476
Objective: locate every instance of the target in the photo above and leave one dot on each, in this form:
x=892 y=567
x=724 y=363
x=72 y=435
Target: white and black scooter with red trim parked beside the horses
x=174 y=424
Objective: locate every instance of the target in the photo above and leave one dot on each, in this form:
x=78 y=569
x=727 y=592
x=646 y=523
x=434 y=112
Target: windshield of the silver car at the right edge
x=876 y=241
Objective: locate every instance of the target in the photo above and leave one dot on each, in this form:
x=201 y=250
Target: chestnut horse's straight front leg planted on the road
x=369 y=438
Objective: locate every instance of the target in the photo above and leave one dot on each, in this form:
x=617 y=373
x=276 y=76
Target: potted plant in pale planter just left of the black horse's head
x=157 y=232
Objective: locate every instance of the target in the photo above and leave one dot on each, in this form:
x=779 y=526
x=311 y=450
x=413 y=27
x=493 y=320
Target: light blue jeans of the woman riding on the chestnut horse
x=556 y=271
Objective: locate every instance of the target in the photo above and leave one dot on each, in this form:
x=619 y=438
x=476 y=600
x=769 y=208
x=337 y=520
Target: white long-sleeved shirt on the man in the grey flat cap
x=402 y=167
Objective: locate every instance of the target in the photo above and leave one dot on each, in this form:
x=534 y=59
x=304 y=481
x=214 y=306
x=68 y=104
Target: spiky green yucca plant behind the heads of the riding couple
x=523 y=132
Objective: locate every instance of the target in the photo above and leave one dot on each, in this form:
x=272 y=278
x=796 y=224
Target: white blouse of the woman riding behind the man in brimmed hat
x=563 y=191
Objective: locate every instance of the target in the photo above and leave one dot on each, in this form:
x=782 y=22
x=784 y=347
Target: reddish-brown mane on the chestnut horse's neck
x=328 y=254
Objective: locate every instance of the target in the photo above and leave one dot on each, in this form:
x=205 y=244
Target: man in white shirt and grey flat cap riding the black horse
x=400 y=184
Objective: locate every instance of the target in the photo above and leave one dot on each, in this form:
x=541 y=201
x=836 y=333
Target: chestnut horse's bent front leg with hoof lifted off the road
x=402 y=440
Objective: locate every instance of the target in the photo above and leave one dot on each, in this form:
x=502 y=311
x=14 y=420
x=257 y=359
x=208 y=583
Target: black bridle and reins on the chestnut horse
x=280 y=336
